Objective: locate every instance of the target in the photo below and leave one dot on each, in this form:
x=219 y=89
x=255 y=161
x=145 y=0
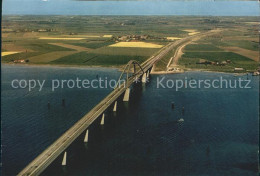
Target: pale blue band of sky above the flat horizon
x=123 y=7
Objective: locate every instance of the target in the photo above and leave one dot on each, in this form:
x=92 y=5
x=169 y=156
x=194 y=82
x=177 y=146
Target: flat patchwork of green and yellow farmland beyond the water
x=114 y=40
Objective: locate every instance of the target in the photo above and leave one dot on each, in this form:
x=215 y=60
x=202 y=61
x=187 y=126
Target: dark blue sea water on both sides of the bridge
x=219 y=135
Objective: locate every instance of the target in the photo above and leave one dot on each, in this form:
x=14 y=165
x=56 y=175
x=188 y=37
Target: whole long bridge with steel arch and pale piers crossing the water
x=133 y=71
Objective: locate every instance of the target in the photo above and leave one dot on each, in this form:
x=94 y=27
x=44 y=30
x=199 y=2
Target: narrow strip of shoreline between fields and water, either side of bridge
x=118 y=68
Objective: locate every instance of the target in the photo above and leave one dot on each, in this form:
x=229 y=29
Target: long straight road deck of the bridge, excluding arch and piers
x=40 y=163
